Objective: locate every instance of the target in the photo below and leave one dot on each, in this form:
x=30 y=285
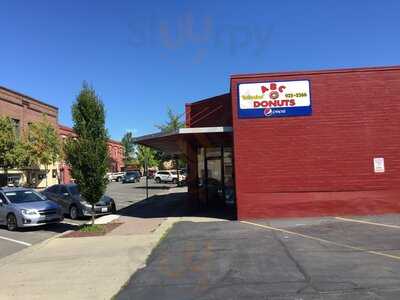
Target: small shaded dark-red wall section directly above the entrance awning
x=211 y=112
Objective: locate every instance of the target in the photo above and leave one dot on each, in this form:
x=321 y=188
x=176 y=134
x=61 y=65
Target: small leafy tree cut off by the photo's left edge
x=9 y=143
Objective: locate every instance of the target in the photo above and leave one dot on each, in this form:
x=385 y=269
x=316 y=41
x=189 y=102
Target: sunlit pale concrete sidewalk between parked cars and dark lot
x=86 y=267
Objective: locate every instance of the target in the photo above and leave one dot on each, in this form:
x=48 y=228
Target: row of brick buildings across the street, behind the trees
x=23 y=110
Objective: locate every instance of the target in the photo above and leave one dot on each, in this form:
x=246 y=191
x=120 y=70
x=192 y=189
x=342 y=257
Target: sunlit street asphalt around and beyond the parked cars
x=123 y=194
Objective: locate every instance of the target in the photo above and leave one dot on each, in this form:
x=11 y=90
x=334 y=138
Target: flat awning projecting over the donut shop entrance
x=175 y=142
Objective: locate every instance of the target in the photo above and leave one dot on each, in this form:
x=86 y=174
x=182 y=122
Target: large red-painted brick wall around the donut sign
x=322 y=164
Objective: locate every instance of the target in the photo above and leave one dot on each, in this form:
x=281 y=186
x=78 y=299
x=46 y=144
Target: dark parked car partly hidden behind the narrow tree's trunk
x=73 y=204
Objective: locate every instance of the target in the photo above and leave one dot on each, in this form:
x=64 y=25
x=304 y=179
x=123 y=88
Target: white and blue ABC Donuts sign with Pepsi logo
x=274 y=99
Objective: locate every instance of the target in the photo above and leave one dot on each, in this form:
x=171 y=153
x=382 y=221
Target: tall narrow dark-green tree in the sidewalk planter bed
x=87 y=152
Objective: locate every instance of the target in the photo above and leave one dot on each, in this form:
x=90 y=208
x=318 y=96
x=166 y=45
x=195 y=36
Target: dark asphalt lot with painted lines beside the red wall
x=319 y=258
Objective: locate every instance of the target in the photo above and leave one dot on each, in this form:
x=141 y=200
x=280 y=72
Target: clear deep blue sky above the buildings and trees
x=145 y=56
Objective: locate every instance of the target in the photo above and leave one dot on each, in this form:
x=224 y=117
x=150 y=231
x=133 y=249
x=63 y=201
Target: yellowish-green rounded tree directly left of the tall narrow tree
x=42 y=146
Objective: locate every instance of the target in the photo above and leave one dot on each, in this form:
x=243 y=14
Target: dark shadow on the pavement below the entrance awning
x=176 y=205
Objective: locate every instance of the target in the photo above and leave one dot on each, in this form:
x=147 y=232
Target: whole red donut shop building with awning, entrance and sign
x=301 y=143
